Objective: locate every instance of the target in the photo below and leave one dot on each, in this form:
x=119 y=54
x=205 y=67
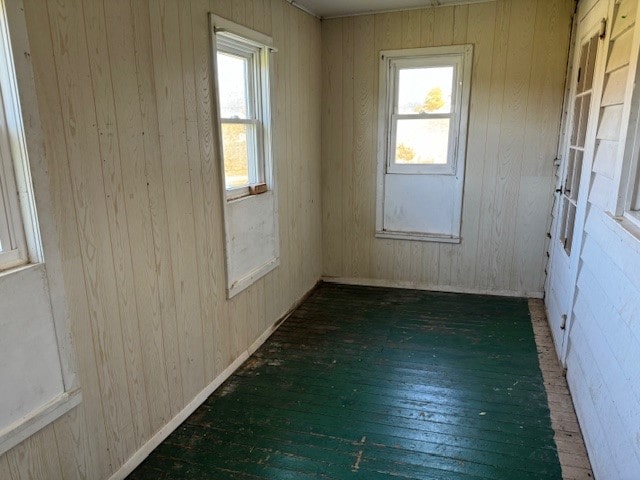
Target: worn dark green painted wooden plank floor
x=373 y=383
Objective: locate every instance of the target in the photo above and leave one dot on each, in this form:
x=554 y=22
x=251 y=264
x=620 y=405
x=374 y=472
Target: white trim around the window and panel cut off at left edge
x=27 y=147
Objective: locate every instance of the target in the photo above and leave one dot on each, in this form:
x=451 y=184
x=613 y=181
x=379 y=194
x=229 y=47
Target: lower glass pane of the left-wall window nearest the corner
x=235 y=145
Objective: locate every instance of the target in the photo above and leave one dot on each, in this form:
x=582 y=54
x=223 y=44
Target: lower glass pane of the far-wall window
x=422 y=141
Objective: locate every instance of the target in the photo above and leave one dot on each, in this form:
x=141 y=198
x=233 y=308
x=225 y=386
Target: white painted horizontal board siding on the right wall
x=603 y=359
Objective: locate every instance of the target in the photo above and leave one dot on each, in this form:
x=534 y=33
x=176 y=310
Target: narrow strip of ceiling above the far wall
x=341 y=8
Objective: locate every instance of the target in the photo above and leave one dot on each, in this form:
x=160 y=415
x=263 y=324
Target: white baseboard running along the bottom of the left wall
x=143 y=452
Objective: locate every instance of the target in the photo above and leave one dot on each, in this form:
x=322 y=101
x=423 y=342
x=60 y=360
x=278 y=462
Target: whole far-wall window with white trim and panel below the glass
x=424 y=100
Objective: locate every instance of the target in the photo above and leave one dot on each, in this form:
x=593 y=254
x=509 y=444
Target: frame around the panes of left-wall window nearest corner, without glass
x=233 y=39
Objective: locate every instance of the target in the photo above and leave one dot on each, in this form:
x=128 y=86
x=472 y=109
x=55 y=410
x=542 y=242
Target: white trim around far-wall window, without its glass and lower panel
x=458 y=139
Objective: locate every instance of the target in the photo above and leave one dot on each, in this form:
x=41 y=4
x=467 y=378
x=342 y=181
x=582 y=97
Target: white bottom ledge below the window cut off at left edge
x=38 y=419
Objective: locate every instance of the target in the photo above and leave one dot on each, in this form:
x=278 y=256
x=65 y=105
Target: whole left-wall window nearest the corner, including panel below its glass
x=241 y=59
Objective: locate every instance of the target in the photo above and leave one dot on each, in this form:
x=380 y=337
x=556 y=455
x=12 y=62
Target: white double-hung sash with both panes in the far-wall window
x=424 y=96
